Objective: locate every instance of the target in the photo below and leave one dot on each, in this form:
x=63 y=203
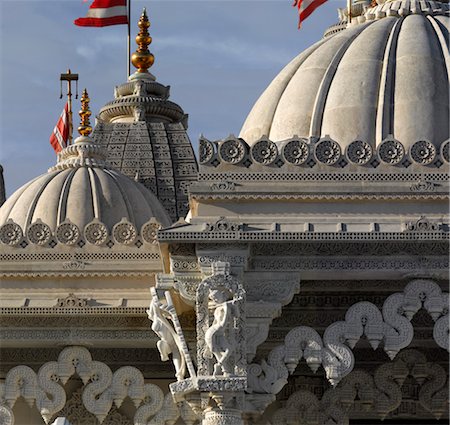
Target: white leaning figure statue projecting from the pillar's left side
x=169 y=340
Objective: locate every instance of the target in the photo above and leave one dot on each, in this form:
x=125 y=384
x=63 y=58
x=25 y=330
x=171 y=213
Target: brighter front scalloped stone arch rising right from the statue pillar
x=392 y=325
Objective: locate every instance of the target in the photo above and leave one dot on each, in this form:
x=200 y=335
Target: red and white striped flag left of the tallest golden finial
x=102 y=13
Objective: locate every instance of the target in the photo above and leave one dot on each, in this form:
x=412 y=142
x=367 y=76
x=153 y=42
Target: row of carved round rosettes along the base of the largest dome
x=316 y=153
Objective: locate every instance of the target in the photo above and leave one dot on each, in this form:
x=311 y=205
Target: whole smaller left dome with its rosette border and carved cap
x=80 y=199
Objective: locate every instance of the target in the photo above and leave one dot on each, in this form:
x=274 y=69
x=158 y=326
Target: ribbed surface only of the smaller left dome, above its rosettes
x=80 y=195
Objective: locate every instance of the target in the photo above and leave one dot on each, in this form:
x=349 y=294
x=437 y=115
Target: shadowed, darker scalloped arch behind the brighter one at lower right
x=380 y=393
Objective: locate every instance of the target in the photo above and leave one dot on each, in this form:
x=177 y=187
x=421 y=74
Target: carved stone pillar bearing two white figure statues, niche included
x=216 y=390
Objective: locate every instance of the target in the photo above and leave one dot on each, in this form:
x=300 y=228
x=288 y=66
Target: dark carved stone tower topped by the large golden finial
x=145 y=133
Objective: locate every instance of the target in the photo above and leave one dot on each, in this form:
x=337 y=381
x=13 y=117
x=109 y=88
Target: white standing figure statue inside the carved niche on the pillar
x=219 y=337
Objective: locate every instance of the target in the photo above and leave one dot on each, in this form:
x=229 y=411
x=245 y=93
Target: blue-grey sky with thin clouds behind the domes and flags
x=217 y=56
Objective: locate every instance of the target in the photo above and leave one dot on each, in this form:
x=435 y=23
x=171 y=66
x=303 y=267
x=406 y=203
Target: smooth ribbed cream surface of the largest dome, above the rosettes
x=383 y=77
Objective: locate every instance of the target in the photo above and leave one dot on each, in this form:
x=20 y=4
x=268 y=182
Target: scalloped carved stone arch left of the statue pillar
x=101 y=388
